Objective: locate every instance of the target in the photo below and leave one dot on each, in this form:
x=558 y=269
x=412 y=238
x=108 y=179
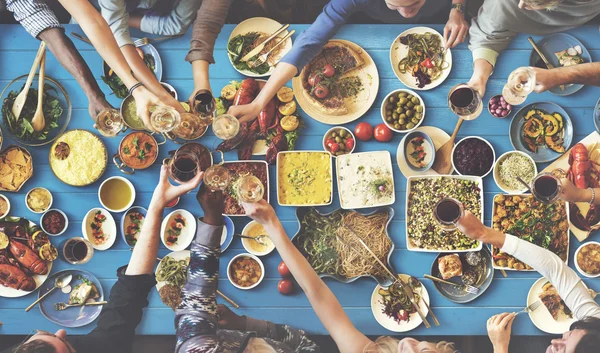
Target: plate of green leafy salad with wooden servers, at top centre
x=248 y=35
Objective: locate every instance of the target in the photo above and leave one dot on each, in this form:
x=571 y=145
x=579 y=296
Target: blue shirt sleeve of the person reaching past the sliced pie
x=310 y=42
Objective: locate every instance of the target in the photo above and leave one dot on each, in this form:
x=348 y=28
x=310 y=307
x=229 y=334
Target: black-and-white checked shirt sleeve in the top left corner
x=34 y=15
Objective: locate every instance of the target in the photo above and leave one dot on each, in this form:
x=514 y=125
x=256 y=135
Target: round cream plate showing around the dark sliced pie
x=369 y=77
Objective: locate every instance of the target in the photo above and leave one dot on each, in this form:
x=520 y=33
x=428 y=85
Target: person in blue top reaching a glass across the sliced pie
x=334 y=15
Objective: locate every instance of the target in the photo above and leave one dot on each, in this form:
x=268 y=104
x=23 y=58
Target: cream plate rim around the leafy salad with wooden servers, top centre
x=261 y=24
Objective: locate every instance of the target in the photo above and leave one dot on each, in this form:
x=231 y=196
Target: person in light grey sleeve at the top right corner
x=498 y=22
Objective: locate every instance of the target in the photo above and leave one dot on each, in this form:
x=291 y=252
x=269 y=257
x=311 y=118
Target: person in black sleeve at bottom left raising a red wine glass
x=119 y=318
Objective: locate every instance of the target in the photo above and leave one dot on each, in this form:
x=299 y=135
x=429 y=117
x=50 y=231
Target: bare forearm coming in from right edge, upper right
x=583 y=74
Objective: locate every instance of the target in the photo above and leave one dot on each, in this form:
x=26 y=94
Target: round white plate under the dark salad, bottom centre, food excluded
x=389 y=323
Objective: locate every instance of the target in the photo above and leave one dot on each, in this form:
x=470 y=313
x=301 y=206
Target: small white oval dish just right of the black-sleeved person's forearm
x=178 y=230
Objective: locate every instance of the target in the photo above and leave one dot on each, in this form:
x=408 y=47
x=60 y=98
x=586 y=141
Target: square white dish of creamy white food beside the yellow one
x=365 y=179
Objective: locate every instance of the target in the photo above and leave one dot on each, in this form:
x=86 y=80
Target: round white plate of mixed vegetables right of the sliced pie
x=418 y=58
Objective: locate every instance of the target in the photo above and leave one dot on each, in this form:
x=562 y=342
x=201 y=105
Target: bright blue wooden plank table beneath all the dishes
x=17 y=50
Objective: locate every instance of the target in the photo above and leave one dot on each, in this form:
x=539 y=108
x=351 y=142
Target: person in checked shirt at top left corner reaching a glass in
x=39 y=20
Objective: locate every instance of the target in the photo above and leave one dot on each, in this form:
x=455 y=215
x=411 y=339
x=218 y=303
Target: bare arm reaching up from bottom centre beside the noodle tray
x=324 y=303
